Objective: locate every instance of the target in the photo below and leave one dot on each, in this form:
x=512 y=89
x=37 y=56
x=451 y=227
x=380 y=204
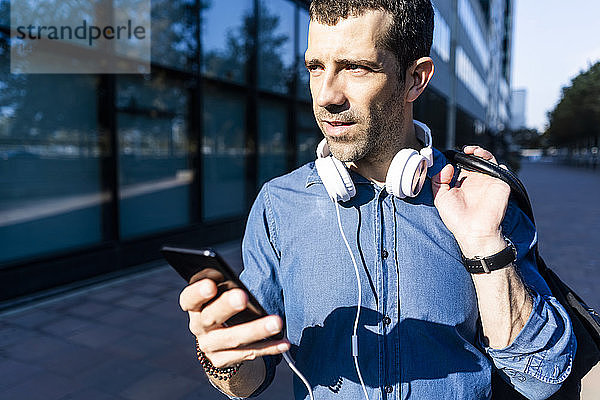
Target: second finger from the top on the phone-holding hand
x=226 y=306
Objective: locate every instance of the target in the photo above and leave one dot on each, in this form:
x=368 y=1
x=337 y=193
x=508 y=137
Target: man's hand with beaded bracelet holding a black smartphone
x=230 y=326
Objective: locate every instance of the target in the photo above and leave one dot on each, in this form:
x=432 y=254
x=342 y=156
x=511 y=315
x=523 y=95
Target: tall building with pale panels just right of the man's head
x=473 y=63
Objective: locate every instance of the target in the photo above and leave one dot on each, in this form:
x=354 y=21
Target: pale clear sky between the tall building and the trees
x=554 y=41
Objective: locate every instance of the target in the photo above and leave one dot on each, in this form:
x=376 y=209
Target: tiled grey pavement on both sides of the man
x=128 y=339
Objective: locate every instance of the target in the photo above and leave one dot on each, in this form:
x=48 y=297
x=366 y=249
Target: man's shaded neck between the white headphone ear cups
x=375 y=167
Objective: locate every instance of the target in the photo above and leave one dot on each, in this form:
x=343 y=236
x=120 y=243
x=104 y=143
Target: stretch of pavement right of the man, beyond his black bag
x=566 y=205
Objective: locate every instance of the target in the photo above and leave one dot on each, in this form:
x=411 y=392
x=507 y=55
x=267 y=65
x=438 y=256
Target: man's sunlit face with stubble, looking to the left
x=356 y=90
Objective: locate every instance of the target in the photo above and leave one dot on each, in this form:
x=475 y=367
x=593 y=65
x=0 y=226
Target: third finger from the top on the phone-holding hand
x=240 y=335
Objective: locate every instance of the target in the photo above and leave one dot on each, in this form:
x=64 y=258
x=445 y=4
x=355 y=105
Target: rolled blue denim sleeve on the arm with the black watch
x=541 y=356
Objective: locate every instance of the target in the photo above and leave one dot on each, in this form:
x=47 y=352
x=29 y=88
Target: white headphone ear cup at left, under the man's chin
x=336 y=178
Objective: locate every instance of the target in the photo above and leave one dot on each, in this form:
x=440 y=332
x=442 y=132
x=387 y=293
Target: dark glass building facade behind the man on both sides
x=97 y=172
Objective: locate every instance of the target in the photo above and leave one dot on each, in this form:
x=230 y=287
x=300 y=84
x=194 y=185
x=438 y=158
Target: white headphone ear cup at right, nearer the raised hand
x=406 y=175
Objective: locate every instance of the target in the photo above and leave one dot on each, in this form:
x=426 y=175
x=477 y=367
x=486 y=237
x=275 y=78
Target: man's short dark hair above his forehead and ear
x=410 y=34
